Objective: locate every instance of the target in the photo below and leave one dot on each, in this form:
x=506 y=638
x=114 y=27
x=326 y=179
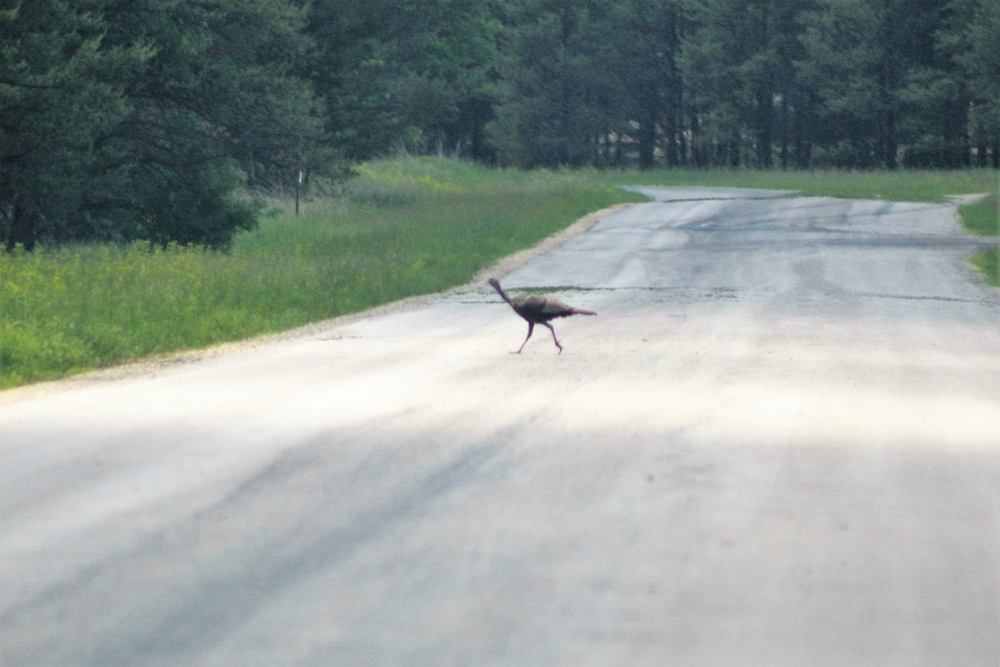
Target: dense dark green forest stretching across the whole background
x=151 y=119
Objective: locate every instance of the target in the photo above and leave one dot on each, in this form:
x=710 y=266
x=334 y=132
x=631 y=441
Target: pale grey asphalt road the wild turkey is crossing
x=778 y=444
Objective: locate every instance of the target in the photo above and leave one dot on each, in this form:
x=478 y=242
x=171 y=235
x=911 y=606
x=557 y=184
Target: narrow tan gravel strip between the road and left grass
x=149 y=365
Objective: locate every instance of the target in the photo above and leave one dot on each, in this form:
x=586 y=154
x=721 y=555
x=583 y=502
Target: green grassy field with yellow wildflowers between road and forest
x=403 y=227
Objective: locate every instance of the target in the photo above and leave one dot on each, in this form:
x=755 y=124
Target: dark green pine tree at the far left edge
x=61 y=93
